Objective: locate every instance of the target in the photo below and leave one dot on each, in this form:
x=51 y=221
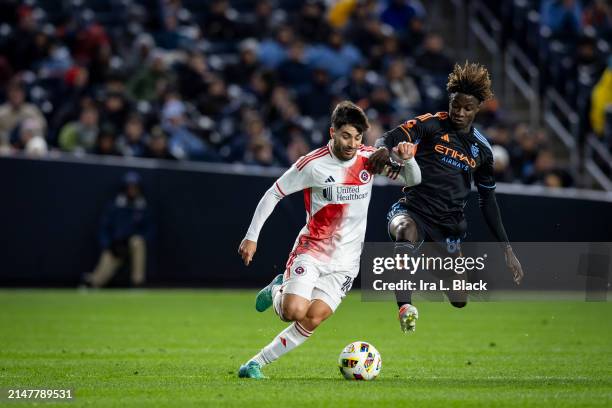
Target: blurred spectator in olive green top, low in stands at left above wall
x=81 y=136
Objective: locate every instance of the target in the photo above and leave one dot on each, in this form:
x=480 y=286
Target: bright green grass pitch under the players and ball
x=183 y=348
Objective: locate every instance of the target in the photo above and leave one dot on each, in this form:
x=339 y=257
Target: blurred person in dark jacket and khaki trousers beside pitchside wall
x=124 y=231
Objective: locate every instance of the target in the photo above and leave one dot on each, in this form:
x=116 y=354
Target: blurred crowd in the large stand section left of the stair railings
x=243 y=81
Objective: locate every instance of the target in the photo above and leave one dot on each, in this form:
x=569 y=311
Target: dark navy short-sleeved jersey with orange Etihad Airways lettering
x=449 y=162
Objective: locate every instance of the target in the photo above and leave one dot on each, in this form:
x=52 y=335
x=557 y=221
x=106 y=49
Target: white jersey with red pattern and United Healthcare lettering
x=336 y=197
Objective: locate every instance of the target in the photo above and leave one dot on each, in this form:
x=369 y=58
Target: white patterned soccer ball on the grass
x=360 y=361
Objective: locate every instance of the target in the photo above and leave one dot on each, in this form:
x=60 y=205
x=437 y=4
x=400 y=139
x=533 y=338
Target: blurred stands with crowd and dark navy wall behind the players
x=207 y=99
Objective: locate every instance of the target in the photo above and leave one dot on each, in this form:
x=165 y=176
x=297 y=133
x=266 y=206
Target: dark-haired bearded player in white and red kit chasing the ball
x=325 y=258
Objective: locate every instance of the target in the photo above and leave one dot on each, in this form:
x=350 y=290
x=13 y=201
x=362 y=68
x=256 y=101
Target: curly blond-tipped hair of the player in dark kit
x=470 y=79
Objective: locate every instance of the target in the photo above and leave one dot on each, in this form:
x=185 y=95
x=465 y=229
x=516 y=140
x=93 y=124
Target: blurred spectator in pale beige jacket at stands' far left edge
x=15 y=111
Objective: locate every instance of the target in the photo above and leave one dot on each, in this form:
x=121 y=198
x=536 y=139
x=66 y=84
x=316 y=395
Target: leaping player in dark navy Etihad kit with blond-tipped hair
x=452 y=154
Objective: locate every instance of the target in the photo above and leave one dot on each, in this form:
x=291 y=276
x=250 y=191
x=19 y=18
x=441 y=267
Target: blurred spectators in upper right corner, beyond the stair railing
x=570 y=42
